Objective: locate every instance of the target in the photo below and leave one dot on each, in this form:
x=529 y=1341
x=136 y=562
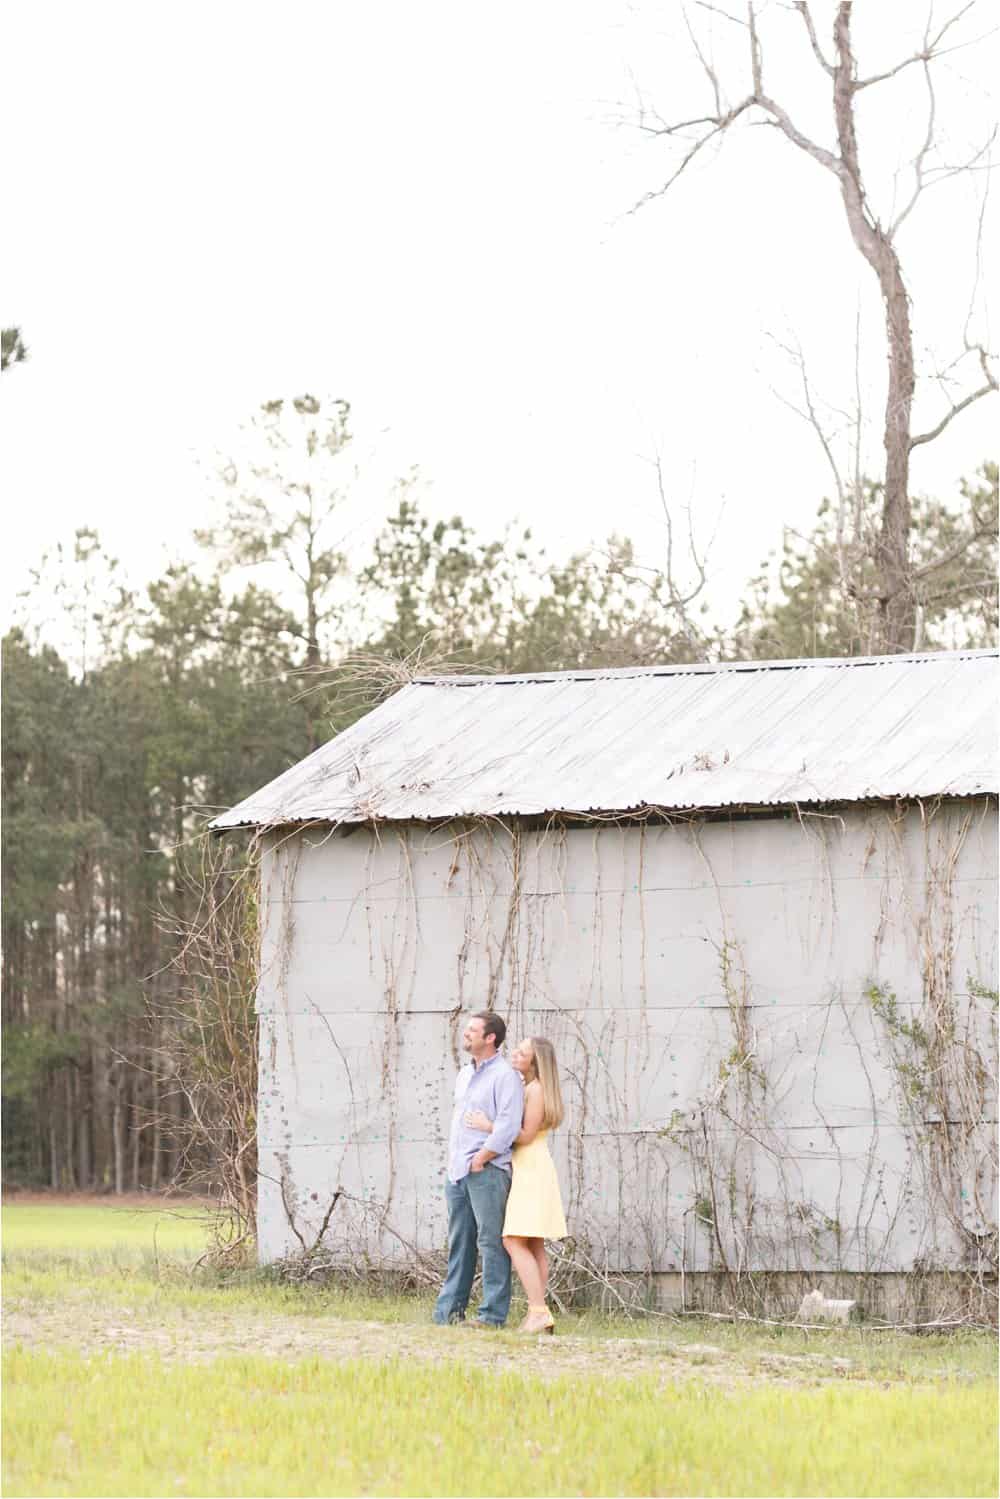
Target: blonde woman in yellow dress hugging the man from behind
x=534 y=1207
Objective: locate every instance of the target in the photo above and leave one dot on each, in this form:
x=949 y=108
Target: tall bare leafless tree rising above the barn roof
x=894 y=597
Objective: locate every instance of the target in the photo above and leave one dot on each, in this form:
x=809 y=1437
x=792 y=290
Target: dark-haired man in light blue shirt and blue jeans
x=479 y=1176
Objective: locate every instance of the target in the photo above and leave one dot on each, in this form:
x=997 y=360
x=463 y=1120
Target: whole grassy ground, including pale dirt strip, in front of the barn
x=127 y=1374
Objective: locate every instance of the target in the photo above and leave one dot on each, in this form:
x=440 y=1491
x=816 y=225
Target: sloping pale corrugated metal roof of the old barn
x=756 y=734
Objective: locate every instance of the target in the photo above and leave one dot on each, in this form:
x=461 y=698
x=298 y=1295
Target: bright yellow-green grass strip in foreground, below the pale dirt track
x=251 y=1426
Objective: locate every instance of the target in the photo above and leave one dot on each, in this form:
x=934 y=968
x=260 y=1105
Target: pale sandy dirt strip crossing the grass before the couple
x=194 y=1336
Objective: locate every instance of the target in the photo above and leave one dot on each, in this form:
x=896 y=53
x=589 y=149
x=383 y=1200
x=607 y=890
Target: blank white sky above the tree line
x=425 y=209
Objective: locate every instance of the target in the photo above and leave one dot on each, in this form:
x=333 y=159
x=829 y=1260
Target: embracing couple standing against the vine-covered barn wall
x=503 y=1192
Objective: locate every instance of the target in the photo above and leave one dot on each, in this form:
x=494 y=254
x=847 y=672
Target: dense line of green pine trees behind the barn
x=161 y=708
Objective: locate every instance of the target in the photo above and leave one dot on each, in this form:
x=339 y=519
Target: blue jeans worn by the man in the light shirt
x=476 y=1221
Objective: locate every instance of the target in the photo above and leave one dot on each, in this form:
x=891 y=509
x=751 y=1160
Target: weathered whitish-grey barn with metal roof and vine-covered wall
x=755 y=908
